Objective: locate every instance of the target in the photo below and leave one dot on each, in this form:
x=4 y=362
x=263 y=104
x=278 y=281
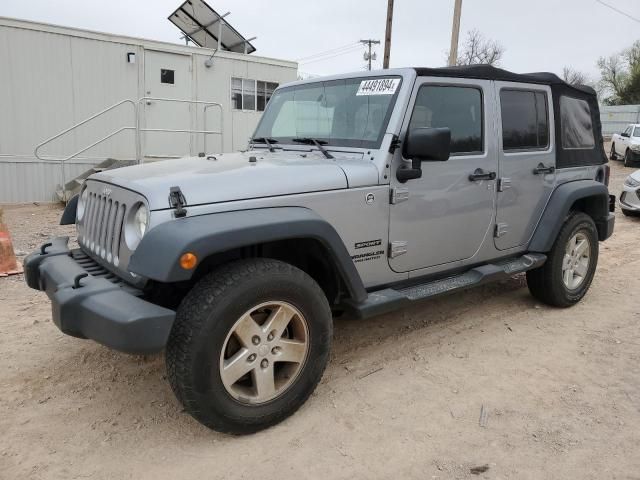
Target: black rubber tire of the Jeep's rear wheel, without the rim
x=545 y=283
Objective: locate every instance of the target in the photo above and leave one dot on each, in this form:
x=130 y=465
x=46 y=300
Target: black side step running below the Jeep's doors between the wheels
x=389 y=299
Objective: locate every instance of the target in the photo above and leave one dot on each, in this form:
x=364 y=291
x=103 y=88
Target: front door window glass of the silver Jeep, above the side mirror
x=459 y=108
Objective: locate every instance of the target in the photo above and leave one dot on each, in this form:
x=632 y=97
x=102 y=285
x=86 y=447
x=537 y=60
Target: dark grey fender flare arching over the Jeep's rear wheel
x=559 y=205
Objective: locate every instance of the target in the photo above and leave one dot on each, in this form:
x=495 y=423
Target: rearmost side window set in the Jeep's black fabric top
x=575 y=123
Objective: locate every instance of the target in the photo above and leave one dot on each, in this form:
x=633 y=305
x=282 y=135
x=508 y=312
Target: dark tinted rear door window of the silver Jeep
x=525 y=121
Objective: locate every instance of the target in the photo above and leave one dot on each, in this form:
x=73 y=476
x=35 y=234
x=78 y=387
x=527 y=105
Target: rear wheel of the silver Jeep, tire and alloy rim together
x=571 y=264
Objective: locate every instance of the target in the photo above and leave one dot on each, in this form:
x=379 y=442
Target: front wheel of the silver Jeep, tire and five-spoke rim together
x=249 y=345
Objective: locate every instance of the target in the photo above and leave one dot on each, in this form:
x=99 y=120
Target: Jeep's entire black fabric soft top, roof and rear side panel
x=565 y=120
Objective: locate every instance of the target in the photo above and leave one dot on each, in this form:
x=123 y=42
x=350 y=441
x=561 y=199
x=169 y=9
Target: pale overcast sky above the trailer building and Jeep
x=538 y=35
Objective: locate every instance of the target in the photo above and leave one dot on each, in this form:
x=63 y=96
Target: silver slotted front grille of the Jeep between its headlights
x=103 y=227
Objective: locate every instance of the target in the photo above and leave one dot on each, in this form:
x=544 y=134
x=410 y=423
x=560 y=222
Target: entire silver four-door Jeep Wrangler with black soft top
x=359 y=193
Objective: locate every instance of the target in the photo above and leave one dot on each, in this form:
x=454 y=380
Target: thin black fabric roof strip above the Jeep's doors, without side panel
x=487 y=72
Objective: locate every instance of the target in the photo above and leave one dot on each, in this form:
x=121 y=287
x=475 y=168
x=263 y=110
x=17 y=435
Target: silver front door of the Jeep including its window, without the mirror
x=446 y=215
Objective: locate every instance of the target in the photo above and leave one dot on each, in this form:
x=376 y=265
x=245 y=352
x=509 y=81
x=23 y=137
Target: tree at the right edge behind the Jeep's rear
x=620 y=76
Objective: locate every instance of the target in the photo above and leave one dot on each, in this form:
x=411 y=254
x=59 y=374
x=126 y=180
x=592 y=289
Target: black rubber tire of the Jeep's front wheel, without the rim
x=203 y=321
